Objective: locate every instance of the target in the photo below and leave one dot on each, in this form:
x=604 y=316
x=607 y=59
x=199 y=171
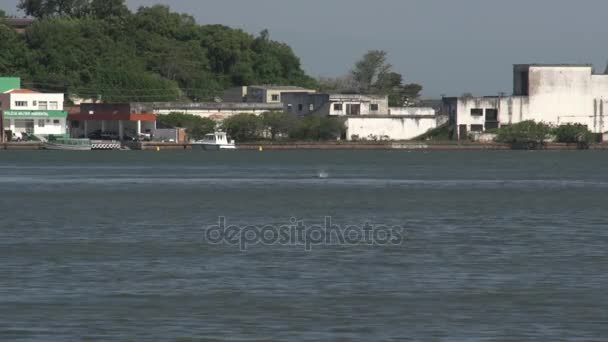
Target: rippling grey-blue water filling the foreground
x=504 y=246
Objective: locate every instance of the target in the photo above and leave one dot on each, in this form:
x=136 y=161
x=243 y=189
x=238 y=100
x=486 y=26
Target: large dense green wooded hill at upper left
x=98 y=48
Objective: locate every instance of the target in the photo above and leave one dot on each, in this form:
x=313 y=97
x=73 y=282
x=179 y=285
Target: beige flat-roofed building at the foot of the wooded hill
x=261 y=94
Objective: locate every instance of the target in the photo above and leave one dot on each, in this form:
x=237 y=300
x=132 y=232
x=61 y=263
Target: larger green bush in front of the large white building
x=526 y=134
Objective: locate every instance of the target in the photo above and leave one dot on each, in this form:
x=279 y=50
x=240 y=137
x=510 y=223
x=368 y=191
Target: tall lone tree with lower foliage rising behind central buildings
x=372 y=74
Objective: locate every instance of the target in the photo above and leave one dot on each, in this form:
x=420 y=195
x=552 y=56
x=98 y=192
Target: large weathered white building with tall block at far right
x=554 y=94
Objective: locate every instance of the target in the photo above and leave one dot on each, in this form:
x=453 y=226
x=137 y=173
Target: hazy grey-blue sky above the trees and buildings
x=451 y=47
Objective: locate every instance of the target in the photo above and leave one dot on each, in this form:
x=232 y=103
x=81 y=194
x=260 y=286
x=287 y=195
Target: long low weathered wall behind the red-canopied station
x=212 y=110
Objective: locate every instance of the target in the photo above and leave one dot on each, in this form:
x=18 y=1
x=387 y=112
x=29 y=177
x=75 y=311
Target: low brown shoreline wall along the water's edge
x=352 y=146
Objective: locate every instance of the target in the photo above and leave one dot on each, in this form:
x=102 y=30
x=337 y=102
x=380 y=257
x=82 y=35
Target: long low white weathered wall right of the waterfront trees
x=389 y=128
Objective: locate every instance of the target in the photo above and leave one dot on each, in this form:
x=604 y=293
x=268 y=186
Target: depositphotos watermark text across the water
x=298 y=233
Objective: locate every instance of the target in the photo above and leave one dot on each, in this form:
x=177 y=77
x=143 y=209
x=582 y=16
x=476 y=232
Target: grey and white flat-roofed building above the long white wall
x=303 y=104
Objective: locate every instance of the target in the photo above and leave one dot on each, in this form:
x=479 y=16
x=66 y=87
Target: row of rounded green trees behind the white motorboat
x=284 y=126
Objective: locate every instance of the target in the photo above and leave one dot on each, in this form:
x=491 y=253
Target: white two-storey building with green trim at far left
x=34 y=113
